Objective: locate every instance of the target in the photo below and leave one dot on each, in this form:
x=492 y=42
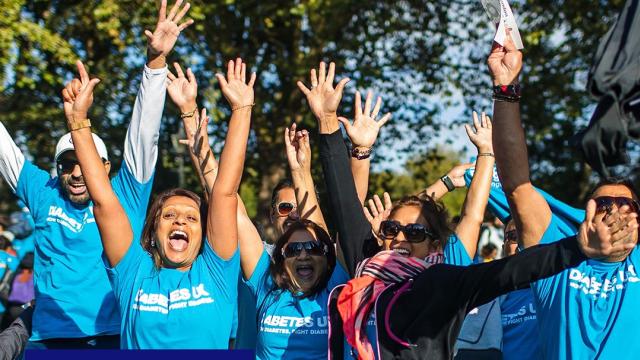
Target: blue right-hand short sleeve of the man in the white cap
x=134 y=197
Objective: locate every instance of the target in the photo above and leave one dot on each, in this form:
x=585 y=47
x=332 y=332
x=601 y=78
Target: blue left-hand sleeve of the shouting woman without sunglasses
x=122 y=276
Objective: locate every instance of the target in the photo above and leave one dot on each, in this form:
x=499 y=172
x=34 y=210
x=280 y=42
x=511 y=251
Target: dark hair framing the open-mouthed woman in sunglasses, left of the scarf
x=279 y=273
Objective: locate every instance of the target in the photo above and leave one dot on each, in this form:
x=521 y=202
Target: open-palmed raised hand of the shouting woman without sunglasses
x=238 y=93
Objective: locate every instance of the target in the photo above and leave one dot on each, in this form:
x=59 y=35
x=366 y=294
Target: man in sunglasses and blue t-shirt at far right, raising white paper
x=589 y=311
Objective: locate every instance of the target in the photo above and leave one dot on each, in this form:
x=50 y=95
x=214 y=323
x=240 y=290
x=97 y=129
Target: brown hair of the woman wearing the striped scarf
x=433 y=211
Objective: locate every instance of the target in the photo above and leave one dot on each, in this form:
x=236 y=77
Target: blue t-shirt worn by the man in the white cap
x=72 y=290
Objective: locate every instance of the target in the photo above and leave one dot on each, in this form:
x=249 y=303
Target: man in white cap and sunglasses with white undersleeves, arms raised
x=76 y=306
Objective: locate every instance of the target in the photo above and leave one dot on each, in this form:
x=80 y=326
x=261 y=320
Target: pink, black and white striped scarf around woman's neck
x=358 y=297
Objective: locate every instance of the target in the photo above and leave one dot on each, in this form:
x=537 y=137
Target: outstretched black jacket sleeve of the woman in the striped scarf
x=482 y=283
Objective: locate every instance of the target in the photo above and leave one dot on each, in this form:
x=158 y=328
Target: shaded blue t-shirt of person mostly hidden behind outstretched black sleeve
x=519 y=326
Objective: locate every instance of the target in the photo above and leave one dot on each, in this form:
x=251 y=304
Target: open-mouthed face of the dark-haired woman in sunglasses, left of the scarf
x=305 y=269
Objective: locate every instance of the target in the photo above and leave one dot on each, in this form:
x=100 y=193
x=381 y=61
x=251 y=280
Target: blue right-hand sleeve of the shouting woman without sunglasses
x=224 y=273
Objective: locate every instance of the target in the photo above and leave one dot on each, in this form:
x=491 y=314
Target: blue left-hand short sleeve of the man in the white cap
x=30 y=187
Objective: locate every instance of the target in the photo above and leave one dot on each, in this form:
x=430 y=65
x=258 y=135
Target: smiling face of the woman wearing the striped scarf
x=410 y=214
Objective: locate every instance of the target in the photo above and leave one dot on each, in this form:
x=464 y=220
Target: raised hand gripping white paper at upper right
x=505 y=62
